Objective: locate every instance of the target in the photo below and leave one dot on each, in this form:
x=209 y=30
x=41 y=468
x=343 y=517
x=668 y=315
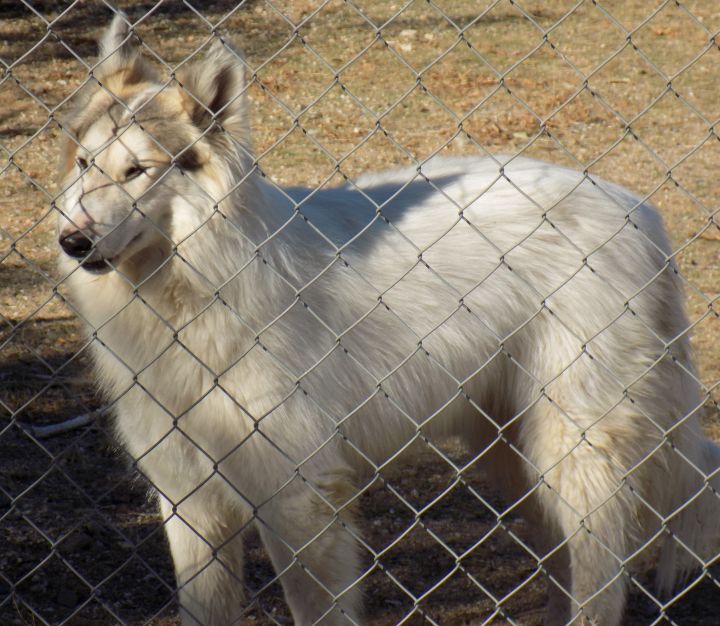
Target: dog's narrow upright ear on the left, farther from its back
x=119 y=58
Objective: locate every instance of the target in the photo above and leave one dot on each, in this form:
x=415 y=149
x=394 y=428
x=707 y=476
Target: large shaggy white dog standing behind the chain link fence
x=267 y=351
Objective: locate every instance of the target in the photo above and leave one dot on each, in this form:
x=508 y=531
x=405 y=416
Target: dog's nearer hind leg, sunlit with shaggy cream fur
x=580 y=493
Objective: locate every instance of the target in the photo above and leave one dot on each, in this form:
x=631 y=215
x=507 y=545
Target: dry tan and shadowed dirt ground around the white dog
x=624 y=89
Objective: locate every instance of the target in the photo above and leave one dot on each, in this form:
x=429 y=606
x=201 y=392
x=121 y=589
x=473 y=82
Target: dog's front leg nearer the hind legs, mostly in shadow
x=309 y=535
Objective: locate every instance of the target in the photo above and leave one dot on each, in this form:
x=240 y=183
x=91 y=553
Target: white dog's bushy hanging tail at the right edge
x=693 y=530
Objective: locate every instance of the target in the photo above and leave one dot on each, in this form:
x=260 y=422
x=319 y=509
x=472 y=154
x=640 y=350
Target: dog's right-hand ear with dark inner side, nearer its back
x=212 y=91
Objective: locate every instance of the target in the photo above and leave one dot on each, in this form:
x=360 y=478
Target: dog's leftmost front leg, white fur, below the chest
x=208 y=561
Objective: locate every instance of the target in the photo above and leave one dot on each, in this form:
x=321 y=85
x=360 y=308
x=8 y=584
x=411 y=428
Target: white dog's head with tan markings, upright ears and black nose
x=146 y=155
